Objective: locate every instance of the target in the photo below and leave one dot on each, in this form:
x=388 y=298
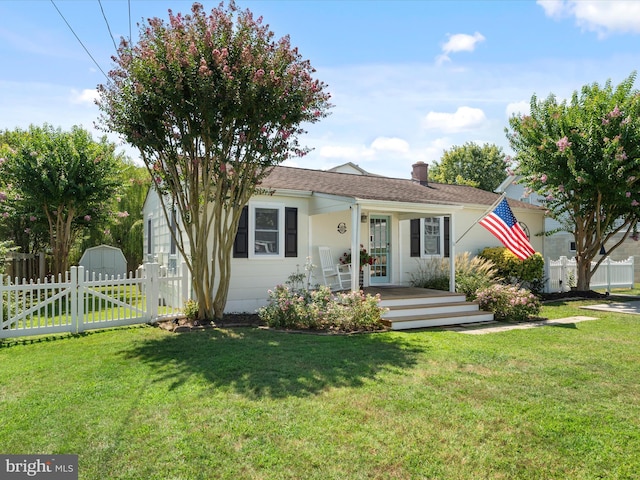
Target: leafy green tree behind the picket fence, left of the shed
x=56 y=182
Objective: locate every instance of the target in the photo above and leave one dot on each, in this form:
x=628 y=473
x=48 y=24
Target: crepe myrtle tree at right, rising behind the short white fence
x=583 y=156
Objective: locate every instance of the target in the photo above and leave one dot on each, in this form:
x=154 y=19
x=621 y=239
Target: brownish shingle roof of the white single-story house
x=373 y=187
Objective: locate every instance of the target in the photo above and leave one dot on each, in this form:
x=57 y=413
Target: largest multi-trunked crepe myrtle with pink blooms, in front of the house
x=213 y=103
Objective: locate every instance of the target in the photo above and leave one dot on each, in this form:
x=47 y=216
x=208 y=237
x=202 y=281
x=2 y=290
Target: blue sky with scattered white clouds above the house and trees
x=409 y=79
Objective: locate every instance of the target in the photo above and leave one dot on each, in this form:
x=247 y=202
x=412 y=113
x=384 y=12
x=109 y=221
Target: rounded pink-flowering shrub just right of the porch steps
x=508 y=302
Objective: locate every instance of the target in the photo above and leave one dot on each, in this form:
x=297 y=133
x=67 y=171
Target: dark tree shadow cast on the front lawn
x=258 y=363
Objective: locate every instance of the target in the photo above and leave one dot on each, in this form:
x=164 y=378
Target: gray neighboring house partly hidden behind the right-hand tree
x=563 y=243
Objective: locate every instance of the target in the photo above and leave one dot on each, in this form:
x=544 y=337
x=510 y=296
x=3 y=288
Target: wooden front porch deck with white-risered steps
x=411 y=307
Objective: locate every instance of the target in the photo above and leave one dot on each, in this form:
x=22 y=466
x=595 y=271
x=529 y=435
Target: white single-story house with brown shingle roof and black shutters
x=399 y=221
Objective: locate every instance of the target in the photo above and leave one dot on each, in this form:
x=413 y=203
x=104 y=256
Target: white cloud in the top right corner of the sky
x=597 y=16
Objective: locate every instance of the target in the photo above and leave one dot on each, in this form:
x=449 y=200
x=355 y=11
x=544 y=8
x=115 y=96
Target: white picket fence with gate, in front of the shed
x=79 y=301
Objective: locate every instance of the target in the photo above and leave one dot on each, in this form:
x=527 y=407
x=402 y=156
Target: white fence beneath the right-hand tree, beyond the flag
x=561 y=274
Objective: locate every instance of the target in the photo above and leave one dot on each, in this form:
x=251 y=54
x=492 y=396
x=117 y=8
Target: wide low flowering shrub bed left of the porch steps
x=320 y=309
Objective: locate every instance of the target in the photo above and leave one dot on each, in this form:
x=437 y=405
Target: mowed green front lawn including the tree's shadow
x=141 y=403
